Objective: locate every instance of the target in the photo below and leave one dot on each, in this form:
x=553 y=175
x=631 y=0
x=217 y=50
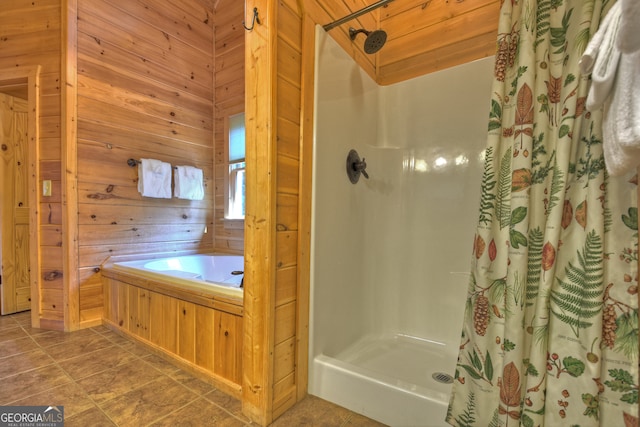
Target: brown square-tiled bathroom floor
x=104 y=379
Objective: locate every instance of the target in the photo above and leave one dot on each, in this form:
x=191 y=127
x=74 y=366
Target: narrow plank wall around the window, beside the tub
x=228 y=100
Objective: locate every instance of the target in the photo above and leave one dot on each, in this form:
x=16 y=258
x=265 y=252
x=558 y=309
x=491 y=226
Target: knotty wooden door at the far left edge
x=14 y=206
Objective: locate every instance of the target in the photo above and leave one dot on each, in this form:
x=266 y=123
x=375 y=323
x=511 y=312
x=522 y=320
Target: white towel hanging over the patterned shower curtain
x=615 y=87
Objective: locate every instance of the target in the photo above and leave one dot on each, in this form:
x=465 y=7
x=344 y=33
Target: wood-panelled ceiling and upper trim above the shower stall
x=423 y=36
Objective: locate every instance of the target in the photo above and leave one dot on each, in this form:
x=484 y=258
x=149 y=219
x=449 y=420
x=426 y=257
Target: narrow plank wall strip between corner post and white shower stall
x=287 y=123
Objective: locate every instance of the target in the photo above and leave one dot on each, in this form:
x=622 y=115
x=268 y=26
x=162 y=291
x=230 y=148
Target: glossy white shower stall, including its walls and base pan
x=391 y=254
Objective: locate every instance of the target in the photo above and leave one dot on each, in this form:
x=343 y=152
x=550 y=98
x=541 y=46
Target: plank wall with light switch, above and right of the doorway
x=30 y=36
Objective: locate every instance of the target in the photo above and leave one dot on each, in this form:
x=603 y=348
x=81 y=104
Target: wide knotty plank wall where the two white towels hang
x=145 y=90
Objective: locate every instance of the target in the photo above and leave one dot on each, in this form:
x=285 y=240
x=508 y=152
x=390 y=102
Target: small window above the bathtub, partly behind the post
x=236 y=177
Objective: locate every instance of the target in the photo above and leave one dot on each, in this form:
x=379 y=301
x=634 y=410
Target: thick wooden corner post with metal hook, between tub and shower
x=260 y=214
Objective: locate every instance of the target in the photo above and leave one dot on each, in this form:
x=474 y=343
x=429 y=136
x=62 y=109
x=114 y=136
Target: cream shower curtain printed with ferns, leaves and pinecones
x=550 y=334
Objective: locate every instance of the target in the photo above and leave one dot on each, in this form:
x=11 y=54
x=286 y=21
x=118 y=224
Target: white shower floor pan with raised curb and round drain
x=389 y=378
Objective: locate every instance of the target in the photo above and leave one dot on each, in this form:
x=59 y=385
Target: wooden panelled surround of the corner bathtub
x=199 y=330
